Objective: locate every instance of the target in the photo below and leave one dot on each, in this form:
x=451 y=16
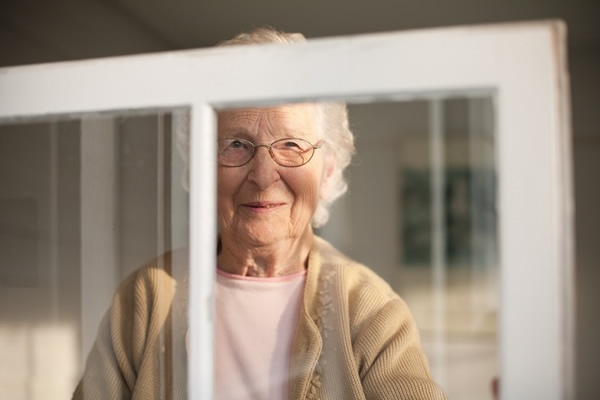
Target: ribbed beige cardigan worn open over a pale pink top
x=356 y=339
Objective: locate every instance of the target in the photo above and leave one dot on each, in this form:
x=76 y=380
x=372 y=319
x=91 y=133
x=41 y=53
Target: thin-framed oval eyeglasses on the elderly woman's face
x=288 y=152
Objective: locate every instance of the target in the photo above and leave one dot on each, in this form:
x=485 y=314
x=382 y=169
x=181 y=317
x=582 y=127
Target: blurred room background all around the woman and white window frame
x=42 y=180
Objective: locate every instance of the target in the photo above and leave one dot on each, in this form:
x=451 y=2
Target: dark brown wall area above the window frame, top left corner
x=43 y=31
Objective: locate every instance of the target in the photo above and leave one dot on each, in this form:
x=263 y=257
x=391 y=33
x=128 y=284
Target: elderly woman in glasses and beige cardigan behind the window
x=295 y=319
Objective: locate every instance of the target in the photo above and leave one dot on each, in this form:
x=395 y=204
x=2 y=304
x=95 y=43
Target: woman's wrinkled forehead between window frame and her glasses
x=289 y=117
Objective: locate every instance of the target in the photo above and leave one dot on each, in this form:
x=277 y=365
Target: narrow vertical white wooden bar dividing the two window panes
x=203 y=250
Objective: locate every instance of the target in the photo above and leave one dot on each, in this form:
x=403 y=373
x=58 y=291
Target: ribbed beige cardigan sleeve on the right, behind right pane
x=390 y=359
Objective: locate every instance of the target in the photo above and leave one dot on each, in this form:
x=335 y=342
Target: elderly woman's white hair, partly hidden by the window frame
x=332 y=121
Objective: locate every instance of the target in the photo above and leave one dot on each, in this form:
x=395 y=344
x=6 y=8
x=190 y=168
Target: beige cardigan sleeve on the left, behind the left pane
x=123 y=361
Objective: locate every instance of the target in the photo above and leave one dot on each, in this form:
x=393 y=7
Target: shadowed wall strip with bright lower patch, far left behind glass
x=40 y=297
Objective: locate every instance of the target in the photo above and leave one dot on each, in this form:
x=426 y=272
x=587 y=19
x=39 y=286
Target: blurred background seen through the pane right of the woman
x=421 y=212
